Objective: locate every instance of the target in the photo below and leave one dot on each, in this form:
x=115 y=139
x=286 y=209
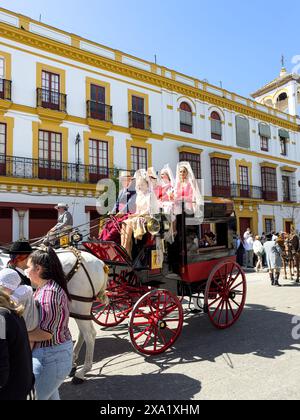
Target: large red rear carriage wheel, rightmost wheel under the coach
x=225 y=294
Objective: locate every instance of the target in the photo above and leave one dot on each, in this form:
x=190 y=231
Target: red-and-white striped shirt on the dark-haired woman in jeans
x=54 y=314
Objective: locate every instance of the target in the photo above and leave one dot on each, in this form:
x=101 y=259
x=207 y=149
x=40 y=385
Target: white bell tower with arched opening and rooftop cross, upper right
x=283 y=93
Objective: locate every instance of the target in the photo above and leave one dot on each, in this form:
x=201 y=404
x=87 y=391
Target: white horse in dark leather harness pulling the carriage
x=88 y=280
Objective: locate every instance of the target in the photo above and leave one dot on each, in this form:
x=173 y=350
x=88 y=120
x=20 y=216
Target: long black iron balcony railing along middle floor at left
x=26 y=168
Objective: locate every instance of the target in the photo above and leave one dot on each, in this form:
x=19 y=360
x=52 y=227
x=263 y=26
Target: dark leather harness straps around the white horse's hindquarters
x=69 y=277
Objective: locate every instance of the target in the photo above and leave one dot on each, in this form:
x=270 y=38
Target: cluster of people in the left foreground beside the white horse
x=36 y=347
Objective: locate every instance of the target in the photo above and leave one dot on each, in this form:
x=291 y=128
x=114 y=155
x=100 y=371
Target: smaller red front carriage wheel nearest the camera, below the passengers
x=156 y=322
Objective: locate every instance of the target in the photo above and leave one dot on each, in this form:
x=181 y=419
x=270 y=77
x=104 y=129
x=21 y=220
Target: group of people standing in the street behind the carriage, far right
x=260 y=252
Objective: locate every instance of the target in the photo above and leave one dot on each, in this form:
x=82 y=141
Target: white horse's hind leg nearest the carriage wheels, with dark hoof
x=89 y=335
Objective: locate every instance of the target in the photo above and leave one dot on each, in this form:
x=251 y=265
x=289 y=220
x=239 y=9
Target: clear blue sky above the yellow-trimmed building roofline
x=234 y=42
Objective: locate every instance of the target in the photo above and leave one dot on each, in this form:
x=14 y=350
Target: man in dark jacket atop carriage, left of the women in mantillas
x=126 y=201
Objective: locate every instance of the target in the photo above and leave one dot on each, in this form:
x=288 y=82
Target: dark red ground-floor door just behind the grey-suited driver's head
x=41 y=221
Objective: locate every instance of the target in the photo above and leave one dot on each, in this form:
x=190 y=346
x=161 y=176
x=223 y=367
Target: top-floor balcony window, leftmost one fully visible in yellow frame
x=50 y=90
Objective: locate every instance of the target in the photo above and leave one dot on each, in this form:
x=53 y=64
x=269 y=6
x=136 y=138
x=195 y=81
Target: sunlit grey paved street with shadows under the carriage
x=256 y=359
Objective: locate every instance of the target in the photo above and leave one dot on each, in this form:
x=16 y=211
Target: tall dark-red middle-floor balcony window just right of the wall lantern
x=98 y=159
